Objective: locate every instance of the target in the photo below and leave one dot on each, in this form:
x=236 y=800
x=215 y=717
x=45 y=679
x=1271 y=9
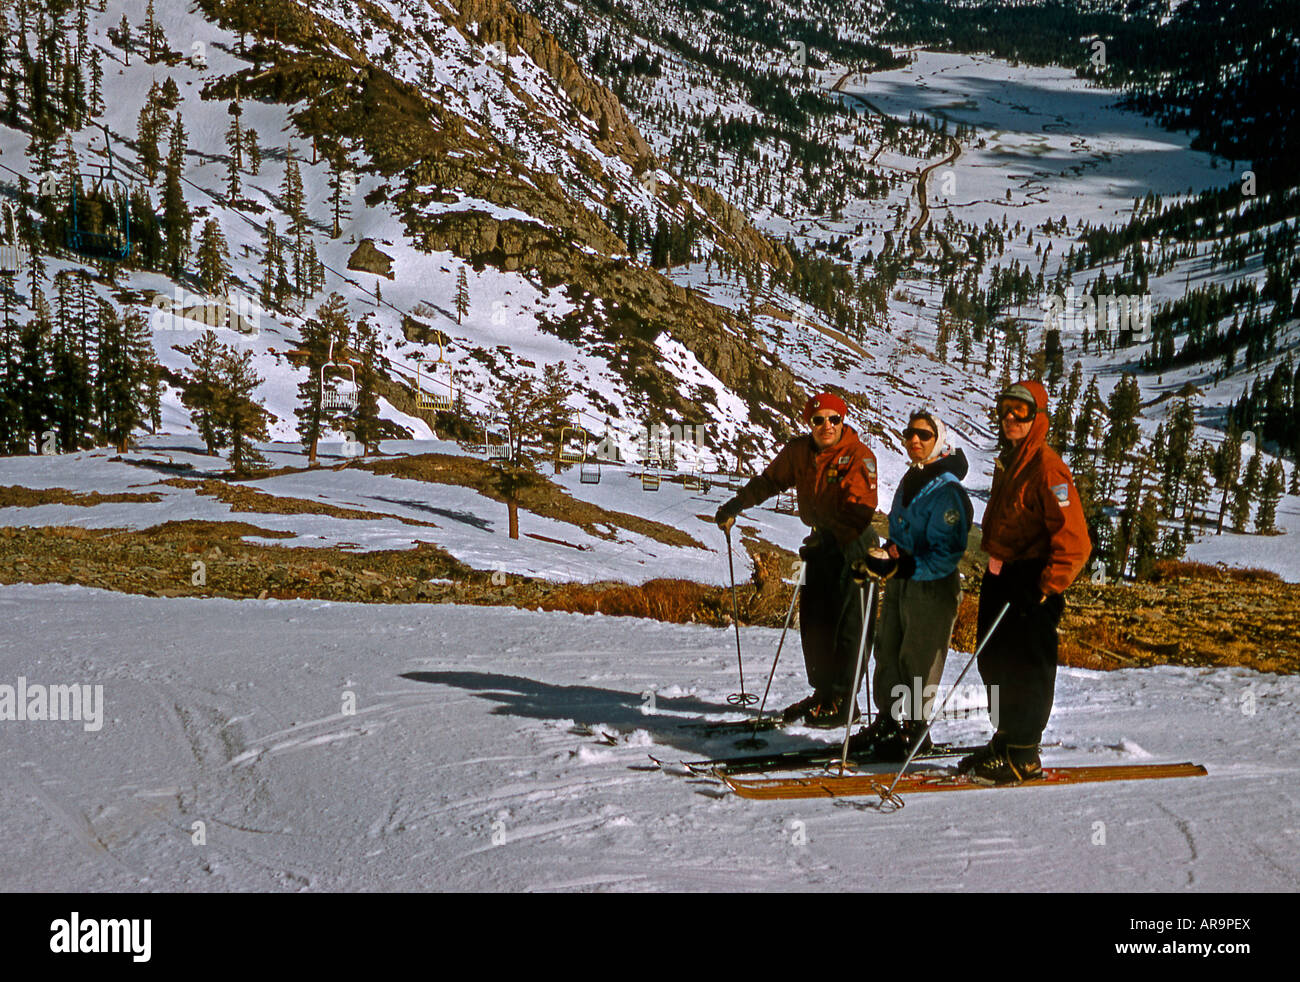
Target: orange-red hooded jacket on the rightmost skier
x=1034 y=509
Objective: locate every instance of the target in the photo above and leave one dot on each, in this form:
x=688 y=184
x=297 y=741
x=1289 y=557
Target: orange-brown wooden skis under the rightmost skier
x=915 y=782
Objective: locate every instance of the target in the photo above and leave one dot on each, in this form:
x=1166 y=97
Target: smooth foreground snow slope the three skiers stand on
x=460 y=769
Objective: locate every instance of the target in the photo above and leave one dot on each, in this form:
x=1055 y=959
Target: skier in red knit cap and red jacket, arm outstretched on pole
x=835 y=479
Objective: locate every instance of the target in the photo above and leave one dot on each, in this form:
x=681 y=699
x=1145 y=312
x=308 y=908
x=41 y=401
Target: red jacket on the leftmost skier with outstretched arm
x=837 y=487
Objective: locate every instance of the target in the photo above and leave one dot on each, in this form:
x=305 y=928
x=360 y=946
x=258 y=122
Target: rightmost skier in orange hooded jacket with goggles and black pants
x=1038 y=543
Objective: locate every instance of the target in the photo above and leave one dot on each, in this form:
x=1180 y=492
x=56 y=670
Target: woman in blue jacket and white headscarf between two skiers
x=929 y=525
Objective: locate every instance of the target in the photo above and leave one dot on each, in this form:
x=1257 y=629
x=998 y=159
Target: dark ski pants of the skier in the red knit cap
x=830 y=618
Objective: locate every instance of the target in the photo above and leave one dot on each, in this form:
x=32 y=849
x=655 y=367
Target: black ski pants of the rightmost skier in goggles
x=1020 y=660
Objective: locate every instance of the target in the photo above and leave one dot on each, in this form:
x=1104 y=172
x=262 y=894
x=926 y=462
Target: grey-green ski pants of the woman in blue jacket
x=912 y=644
